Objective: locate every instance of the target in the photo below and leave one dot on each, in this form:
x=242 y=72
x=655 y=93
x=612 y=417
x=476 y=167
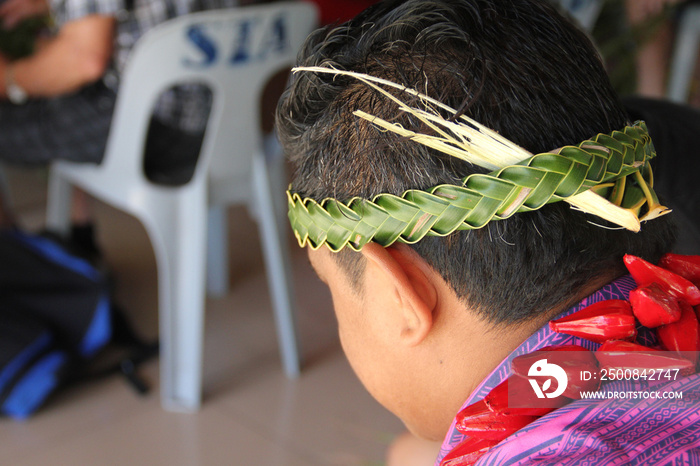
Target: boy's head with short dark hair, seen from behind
x=515 y=66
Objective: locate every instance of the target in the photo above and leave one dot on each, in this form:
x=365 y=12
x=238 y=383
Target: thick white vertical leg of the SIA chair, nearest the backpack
x=179 y=244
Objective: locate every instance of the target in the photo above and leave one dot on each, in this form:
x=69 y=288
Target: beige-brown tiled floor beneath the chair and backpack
x=252 y=414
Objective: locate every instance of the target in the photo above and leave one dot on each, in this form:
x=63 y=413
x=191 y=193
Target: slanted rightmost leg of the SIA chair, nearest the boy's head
x=278 y=266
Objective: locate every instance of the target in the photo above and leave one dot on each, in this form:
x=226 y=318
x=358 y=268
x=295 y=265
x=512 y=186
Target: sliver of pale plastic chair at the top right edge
x=685 y=53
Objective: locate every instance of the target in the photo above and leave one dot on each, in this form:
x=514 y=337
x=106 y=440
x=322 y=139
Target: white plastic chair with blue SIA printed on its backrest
x=239 y=49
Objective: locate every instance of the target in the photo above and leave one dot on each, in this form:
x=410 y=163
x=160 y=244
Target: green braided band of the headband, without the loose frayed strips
x=481 y=198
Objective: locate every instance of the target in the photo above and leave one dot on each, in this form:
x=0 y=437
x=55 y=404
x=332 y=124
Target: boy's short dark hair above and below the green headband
x=516 y=66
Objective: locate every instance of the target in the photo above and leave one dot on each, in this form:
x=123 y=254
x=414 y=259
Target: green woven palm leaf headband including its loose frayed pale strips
x=608 y=176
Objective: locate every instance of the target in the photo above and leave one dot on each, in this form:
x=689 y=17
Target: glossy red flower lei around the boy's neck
x=667 y=299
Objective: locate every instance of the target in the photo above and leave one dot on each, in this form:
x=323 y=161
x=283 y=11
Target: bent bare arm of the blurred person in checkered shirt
x=78 y=55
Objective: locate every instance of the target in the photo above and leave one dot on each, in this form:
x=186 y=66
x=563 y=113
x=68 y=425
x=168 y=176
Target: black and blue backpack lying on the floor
x=56 y=317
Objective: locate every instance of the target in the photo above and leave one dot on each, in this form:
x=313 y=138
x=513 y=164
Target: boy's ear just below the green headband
x=409 y=282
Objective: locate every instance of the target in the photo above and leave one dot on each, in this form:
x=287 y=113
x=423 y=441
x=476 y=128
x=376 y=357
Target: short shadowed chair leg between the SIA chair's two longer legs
x=217 y=252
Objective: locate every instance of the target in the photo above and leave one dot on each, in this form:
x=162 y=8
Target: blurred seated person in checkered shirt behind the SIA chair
x=56 y=101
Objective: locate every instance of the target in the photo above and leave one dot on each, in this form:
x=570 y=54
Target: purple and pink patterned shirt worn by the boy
x=598 y=432
